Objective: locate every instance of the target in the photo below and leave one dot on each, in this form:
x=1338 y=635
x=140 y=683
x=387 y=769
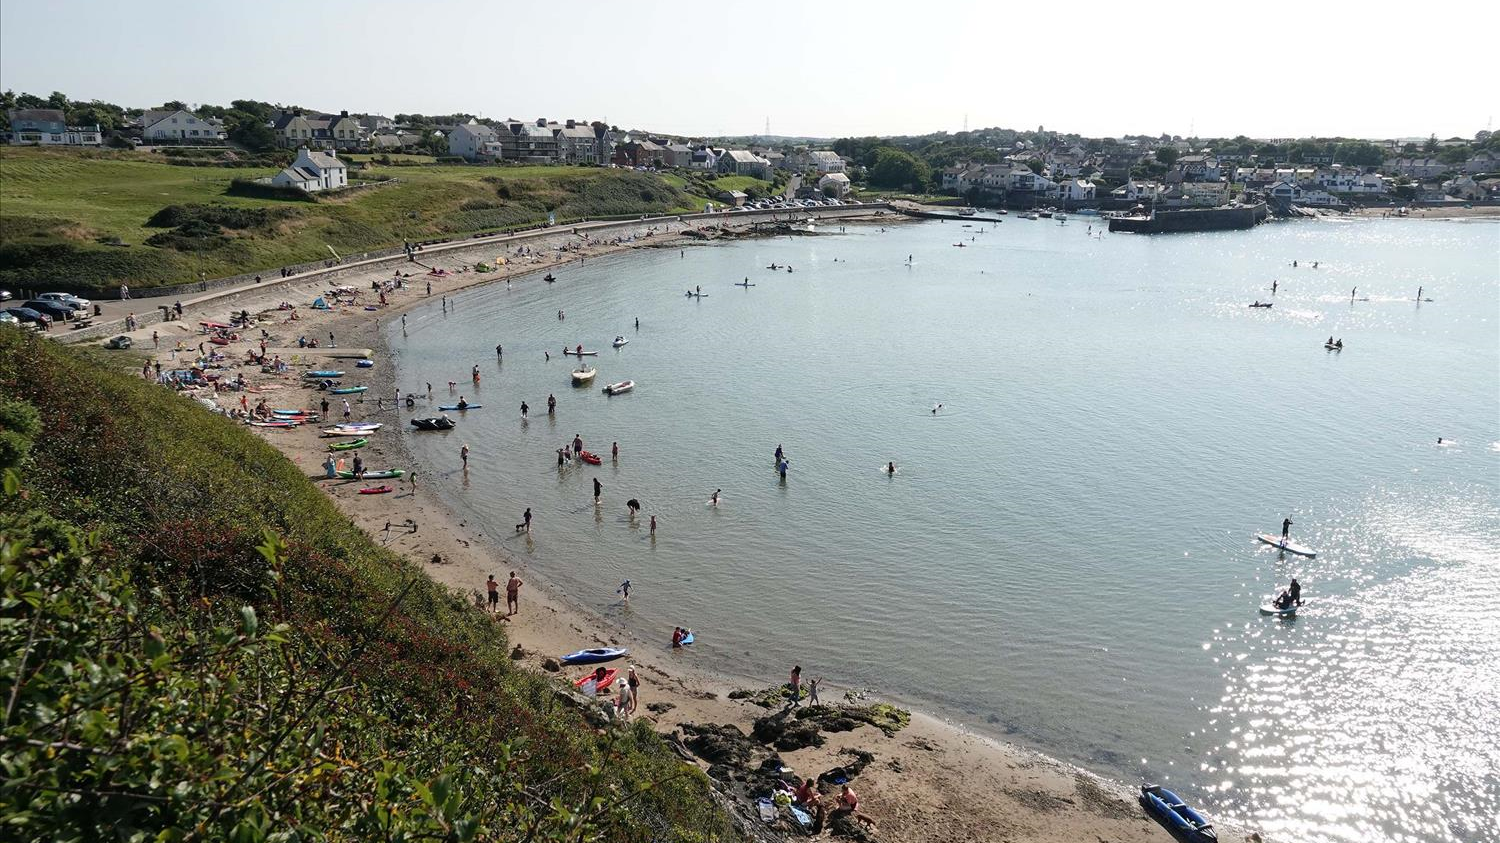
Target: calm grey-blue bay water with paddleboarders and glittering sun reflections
x=1064 y=556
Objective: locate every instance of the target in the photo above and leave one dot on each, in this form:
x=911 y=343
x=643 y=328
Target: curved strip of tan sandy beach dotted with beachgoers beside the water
x=931 y=782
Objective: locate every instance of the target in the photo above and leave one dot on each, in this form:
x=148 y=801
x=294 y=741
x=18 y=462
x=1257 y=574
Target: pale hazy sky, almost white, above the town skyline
x=812 y=68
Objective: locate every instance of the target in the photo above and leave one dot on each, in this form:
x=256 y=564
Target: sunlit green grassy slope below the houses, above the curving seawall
x=80 y=221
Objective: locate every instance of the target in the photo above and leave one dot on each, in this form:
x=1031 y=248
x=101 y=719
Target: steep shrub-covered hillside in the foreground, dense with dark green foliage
x=196 y=646
